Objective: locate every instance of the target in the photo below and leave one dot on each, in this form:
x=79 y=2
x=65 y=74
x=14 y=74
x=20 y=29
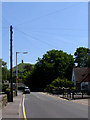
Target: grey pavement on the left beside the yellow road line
x=13 y=109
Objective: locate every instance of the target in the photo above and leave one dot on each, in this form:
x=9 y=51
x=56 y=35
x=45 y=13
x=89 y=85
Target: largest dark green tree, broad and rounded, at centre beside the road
x=52 y=65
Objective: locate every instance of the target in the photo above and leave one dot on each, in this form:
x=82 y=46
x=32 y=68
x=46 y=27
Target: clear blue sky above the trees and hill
x=42 y=26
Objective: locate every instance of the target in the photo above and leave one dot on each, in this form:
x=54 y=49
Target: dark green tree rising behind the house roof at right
x=81 y=56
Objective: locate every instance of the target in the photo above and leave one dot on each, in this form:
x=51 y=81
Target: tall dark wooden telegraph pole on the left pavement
x=11 y=80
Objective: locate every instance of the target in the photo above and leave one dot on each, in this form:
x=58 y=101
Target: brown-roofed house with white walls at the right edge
x=81 y=78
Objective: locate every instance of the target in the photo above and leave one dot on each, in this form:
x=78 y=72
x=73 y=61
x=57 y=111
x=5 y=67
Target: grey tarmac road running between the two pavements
x=39 y=105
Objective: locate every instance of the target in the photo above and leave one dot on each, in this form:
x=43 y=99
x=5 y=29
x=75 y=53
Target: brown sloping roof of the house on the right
x=80 y=73
